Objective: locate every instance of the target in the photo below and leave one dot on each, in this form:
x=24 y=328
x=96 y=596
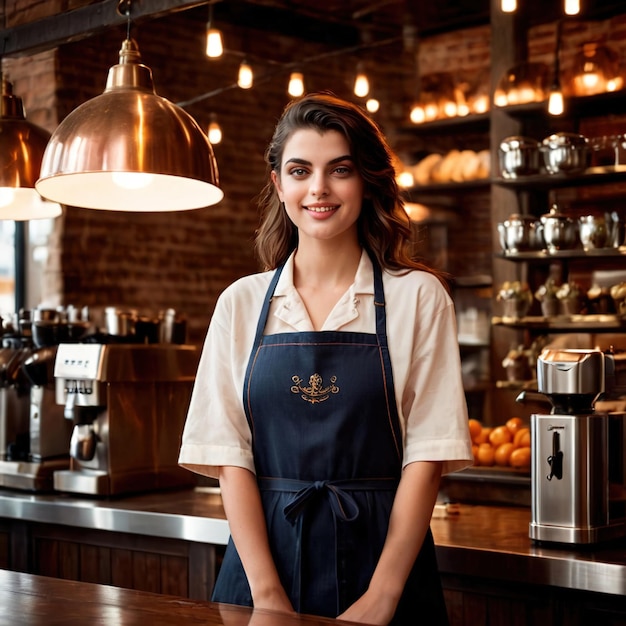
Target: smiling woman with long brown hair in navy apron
x=328 y=399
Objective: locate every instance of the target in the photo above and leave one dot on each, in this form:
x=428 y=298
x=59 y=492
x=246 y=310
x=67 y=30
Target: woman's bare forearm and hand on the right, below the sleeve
x=409 y=521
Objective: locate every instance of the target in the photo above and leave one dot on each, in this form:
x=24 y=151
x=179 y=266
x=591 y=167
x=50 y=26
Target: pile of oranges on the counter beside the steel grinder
x=504 y=446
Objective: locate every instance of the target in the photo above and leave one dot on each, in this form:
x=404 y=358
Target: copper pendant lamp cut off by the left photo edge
x=22 y=145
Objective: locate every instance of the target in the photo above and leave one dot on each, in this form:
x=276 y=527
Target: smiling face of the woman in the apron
x=320 y=186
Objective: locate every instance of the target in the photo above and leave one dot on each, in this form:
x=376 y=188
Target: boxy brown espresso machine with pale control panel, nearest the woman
x=127 y=404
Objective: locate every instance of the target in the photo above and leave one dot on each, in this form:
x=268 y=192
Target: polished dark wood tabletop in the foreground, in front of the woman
x=42 y=601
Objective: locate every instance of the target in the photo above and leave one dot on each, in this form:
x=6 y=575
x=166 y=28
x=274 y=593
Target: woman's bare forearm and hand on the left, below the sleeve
x=242 y=503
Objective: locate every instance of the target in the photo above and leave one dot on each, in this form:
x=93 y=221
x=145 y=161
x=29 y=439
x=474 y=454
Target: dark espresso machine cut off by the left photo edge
x=34 y=436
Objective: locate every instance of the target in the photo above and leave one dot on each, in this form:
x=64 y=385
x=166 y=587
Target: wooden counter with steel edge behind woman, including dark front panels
x=171 y=543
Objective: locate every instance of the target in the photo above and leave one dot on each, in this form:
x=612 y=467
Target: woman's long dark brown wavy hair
x=384 y=227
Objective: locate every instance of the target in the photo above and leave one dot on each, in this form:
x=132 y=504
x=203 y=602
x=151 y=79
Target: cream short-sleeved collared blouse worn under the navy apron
x=423 y=346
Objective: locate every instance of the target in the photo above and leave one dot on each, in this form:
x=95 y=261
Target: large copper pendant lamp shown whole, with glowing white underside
x=129 y=149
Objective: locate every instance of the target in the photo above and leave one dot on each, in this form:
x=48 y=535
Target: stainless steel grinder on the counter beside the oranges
x=578 y=473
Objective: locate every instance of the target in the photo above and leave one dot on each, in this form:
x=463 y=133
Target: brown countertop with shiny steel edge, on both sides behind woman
x=480 y=540
